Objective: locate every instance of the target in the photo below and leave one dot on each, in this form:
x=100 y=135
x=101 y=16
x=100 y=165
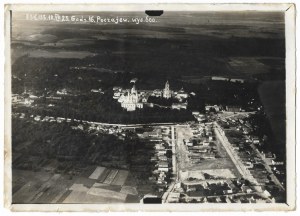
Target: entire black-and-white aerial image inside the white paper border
x=141 y=107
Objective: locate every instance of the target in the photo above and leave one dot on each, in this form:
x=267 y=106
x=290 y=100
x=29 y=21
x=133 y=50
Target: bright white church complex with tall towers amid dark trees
x=132 y=99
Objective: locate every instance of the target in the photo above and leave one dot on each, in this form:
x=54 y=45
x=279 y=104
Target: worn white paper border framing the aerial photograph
x=290 y=40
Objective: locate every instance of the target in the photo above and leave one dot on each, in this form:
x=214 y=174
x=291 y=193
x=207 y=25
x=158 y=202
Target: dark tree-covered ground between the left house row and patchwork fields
x=73 y=148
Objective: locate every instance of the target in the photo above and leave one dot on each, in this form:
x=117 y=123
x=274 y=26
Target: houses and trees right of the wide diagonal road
x=262 y=166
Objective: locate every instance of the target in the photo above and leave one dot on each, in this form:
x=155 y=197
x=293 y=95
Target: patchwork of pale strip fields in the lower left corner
x=44 y=187
